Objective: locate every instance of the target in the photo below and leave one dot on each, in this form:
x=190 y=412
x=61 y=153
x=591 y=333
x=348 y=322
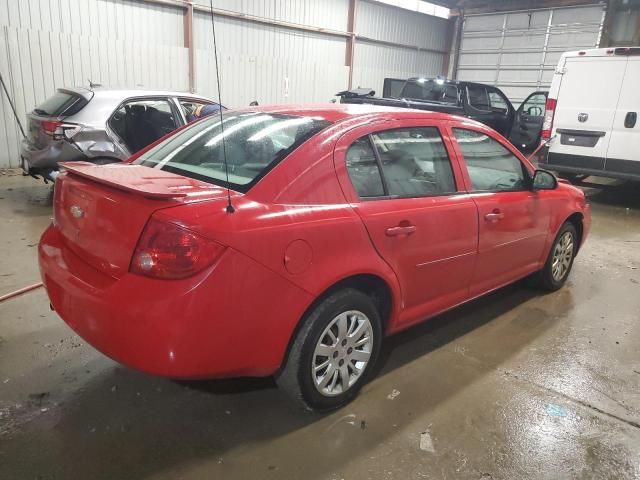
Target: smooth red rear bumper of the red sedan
x=221 y=322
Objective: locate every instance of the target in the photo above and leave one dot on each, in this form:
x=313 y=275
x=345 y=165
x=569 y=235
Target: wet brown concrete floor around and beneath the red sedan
x=516 y=385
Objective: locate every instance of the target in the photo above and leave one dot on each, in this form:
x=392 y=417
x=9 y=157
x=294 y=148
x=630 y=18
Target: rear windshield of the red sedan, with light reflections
x=254 y=142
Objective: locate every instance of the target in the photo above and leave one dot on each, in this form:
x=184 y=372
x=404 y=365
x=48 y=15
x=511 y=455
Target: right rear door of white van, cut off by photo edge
x=623 y=154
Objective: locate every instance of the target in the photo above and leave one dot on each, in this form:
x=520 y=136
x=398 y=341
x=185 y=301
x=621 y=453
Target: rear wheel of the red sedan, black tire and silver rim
x=343 y=331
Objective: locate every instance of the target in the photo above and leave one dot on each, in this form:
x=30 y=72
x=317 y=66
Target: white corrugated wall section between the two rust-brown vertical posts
x=268 y=63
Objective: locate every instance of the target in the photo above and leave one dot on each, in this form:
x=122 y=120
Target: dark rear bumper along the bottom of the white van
x=596 y=166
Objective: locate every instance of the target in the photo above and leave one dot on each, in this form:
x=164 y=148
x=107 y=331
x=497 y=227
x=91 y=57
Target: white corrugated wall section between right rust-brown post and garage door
x=373 y=62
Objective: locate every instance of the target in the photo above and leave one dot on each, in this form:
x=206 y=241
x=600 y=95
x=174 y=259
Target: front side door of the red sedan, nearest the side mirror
x=513 y=219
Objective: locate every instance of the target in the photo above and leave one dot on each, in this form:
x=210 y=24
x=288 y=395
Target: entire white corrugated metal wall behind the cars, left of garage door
x=46 y=44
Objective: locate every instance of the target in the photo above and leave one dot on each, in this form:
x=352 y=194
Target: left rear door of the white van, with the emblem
x=586 y=107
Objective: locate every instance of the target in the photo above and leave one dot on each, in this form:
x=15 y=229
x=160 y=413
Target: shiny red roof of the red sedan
x=337 y=112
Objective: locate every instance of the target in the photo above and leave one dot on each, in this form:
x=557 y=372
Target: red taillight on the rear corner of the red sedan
x=168 y=251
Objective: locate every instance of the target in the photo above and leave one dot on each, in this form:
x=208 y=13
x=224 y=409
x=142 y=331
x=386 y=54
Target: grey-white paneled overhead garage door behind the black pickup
x=518 y=51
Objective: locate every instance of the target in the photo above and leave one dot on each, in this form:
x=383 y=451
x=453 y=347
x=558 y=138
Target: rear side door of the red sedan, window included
x=401 y=181
